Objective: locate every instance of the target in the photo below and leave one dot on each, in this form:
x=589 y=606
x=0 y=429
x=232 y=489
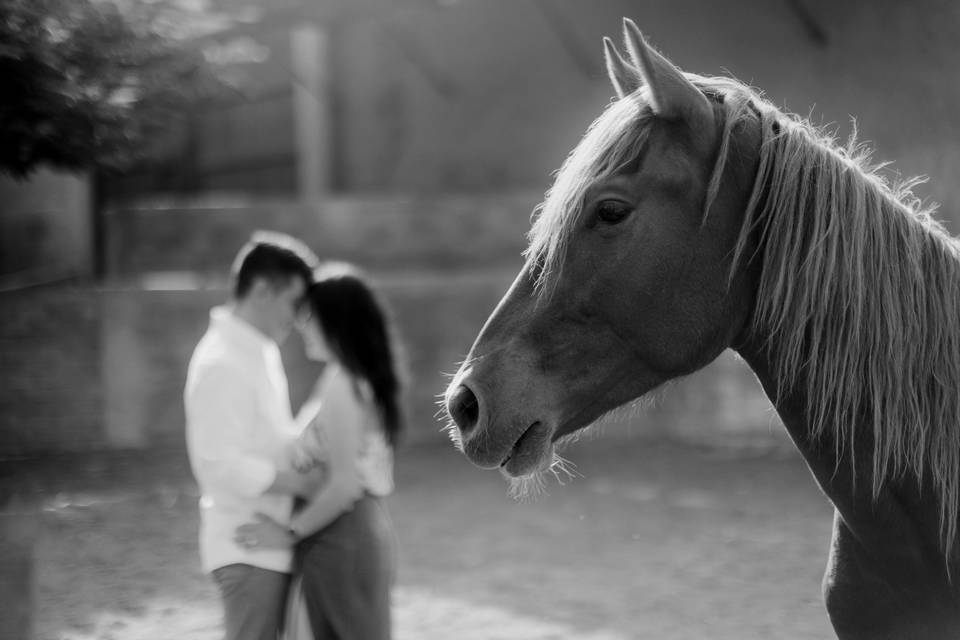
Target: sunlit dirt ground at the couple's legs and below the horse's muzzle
x=653 y=541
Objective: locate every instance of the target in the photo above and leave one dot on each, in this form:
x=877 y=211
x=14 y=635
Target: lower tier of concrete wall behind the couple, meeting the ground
x=104 y=368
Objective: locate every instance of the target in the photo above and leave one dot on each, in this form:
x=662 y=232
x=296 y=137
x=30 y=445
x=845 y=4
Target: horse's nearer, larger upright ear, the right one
x=671 y=94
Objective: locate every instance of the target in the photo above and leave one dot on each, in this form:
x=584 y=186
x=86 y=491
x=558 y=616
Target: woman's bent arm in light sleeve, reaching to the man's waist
x=343 y=417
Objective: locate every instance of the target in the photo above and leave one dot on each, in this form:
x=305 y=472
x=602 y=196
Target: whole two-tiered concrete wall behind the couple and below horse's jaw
x=103 y=366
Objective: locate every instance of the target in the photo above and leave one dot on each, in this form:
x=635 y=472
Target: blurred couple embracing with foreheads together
x=293 y=525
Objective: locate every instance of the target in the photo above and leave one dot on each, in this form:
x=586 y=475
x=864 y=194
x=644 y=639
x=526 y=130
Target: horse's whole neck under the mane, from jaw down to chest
x=902 y=400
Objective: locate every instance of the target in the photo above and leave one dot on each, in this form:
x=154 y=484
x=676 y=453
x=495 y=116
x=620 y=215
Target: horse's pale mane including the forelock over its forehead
x=859 y=288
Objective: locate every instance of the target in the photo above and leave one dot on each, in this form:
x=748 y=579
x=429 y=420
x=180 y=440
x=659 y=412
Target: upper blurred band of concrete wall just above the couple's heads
x=378 y=231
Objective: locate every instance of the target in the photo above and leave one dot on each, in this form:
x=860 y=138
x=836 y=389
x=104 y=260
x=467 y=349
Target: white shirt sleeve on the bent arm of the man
x=221 y=417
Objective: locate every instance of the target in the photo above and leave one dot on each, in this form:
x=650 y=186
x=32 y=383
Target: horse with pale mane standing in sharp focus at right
x=693 y=217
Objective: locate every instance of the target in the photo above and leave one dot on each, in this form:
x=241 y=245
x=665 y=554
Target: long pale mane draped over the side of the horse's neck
x=844 y=264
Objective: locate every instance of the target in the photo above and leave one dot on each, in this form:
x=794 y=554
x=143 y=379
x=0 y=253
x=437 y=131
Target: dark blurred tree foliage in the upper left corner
x=94 y=83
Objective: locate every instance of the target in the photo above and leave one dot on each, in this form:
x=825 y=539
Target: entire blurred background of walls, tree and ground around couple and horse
x=144 y=140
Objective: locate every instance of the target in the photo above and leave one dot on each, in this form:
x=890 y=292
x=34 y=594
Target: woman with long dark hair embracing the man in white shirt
x=344 y=534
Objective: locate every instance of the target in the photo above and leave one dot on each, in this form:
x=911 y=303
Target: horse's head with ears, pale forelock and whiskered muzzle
x=627 y=282
